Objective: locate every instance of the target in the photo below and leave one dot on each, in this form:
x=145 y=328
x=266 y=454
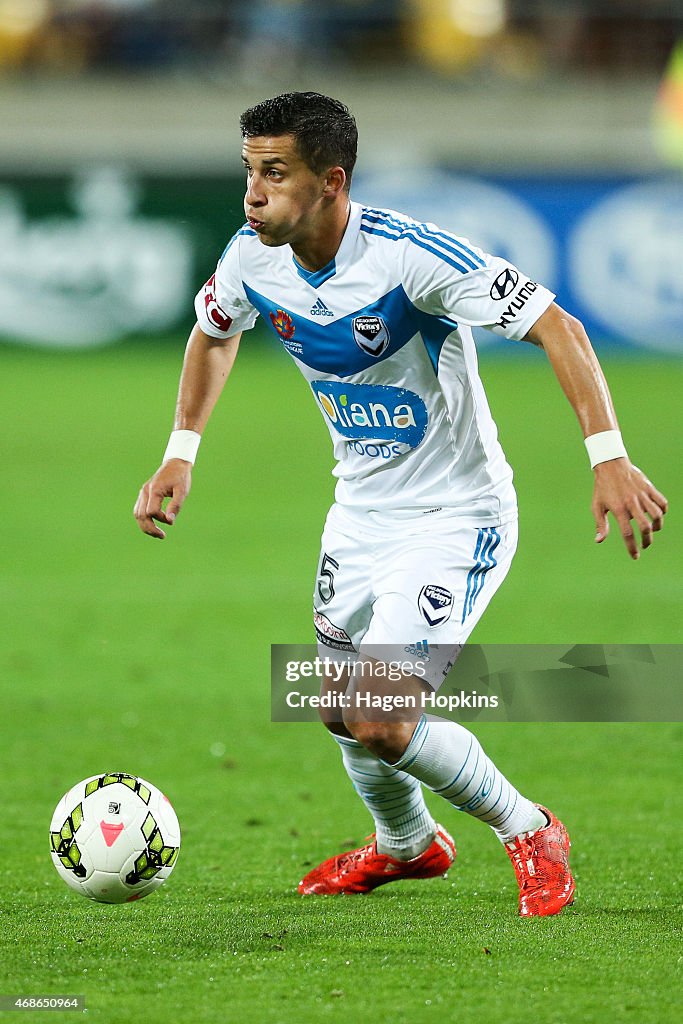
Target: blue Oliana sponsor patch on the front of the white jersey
x=373 y=412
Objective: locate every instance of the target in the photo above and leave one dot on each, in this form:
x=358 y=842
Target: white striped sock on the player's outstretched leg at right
x=449 y=759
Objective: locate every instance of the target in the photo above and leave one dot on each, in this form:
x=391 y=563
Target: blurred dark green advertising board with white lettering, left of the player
x=89 y=261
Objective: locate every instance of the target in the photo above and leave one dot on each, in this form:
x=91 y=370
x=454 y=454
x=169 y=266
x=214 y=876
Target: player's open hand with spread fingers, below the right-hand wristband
x=624 y=491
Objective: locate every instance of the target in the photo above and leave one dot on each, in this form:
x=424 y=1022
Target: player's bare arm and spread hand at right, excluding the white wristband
x=620 y=487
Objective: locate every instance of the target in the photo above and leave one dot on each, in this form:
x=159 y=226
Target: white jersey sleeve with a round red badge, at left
x=222 y=306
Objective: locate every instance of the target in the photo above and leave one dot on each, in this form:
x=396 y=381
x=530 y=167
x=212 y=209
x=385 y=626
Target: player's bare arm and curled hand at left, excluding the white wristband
x=206 y=368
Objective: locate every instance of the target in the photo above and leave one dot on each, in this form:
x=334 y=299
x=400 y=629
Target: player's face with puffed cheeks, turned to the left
x=284 y=199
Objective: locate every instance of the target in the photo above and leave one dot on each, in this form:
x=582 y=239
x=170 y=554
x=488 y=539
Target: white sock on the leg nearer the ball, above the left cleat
x=403 y=825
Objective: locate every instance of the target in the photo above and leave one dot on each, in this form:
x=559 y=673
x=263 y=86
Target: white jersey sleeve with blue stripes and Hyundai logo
x=447 y=276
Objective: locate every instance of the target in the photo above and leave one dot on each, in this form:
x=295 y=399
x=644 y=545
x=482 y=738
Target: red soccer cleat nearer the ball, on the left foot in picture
x=364 y=870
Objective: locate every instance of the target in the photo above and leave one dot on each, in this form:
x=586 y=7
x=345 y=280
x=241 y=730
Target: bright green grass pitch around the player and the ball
x=124 y=654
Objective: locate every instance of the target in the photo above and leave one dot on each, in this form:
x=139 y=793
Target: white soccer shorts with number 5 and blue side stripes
x=411 y=584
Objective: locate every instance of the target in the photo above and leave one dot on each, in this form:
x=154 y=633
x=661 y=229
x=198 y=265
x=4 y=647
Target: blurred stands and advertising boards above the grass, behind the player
x=550 y=133
